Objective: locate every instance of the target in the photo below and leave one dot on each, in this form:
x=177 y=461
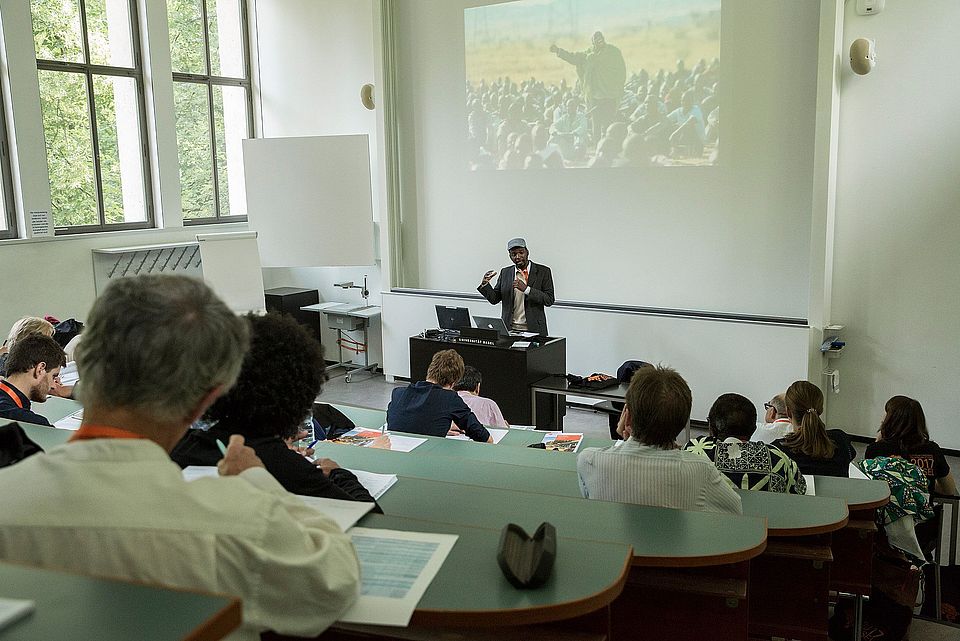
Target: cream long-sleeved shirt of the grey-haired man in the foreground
x=120 y=508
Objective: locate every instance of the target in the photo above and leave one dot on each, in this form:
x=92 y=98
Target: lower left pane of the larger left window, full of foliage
x=66 y=128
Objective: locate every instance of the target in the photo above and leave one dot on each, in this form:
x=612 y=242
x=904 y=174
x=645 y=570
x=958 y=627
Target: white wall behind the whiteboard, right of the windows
x=314 y=55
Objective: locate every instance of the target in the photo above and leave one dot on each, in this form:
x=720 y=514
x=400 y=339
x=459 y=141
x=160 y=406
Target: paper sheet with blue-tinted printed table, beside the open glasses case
x=396 y=568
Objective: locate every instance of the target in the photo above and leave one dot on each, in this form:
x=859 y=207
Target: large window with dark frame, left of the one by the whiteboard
x=91 y=98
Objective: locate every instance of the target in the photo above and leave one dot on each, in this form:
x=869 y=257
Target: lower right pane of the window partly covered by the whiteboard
x=230 y=117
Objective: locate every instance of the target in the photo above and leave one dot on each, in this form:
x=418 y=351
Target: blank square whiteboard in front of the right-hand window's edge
x=310 y=200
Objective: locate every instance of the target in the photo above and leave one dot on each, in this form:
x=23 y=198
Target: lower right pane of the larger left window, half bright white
x=121 y=160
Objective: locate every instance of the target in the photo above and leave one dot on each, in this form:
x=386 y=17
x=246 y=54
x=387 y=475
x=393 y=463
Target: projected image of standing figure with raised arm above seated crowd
x=592 y=83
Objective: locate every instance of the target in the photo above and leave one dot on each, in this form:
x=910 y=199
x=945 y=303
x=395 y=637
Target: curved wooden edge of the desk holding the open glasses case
x=526 y=616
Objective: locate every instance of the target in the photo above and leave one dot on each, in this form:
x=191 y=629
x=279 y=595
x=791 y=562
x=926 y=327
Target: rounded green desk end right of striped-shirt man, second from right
x=795 y=515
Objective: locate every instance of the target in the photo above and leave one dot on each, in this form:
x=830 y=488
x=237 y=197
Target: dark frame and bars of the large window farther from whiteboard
x=89 y=70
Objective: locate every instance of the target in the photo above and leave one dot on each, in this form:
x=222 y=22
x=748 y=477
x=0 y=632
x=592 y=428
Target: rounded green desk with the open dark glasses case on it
x=471 y=590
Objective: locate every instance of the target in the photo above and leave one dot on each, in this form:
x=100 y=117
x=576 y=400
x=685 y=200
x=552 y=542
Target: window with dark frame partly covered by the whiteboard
x=211 y=90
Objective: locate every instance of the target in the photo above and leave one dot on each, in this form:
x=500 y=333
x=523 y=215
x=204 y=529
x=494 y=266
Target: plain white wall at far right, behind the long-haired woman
x=896 y=280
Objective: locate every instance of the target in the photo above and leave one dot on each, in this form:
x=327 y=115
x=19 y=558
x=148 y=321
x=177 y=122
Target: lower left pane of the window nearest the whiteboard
x=194 y=145
